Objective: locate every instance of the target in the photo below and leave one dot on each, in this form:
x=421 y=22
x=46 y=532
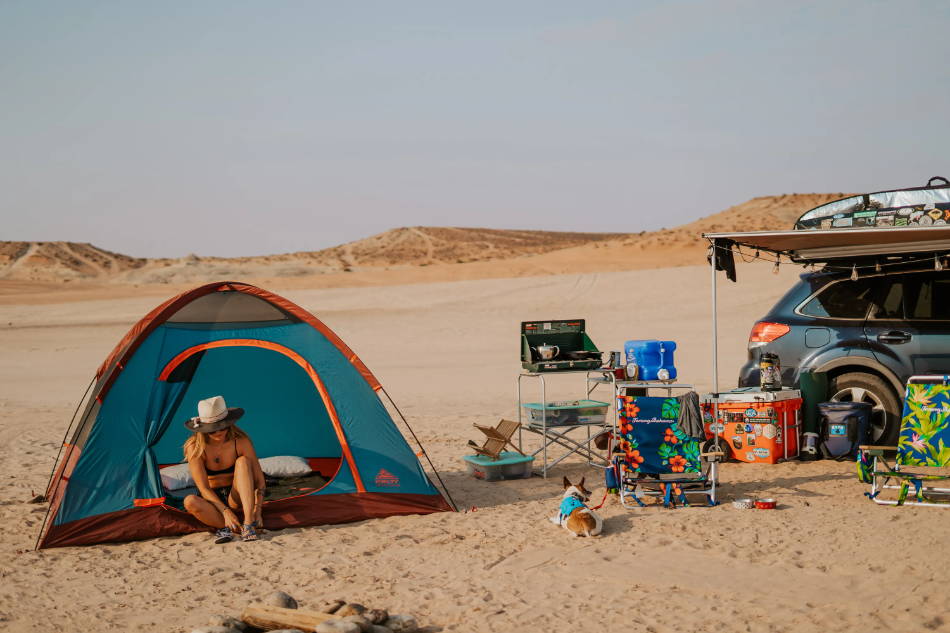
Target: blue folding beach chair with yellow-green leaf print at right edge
x=924 y=442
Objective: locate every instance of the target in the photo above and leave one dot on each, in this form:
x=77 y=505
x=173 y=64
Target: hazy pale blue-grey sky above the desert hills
x=159 y=129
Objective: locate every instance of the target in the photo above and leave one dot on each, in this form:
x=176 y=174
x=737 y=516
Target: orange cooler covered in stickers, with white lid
x=756 y=426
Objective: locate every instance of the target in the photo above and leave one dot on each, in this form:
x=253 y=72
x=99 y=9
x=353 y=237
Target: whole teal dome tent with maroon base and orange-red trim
x=303 y=389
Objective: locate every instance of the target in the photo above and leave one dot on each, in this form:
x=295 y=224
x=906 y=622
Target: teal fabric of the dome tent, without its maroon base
x=263 y=369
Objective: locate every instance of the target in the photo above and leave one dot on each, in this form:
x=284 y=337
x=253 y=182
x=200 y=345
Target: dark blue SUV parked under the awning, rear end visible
x=870 y=334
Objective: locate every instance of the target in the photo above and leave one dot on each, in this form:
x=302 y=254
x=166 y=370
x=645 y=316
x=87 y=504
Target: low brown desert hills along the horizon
x=411 y=247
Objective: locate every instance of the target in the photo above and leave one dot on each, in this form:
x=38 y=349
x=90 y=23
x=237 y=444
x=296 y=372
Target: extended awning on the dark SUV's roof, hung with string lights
x=821 y=245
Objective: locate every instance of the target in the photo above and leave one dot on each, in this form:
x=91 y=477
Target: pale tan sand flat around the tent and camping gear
x=826 y=558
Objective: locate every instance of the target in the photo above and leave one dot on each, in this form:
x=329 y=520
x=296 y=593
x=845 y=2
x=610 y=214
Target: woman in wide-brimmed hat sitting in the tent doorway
x=226 y=471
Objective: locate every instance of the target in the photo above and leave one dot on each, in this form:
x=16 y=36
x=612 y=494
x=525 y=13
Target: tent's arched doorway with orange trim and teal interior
x=286 y=408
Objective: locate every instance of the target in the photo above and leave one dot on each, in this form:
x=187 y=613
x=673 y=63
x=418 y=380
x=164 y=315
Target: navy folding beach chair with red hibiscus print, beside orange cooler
x=657 y=458
